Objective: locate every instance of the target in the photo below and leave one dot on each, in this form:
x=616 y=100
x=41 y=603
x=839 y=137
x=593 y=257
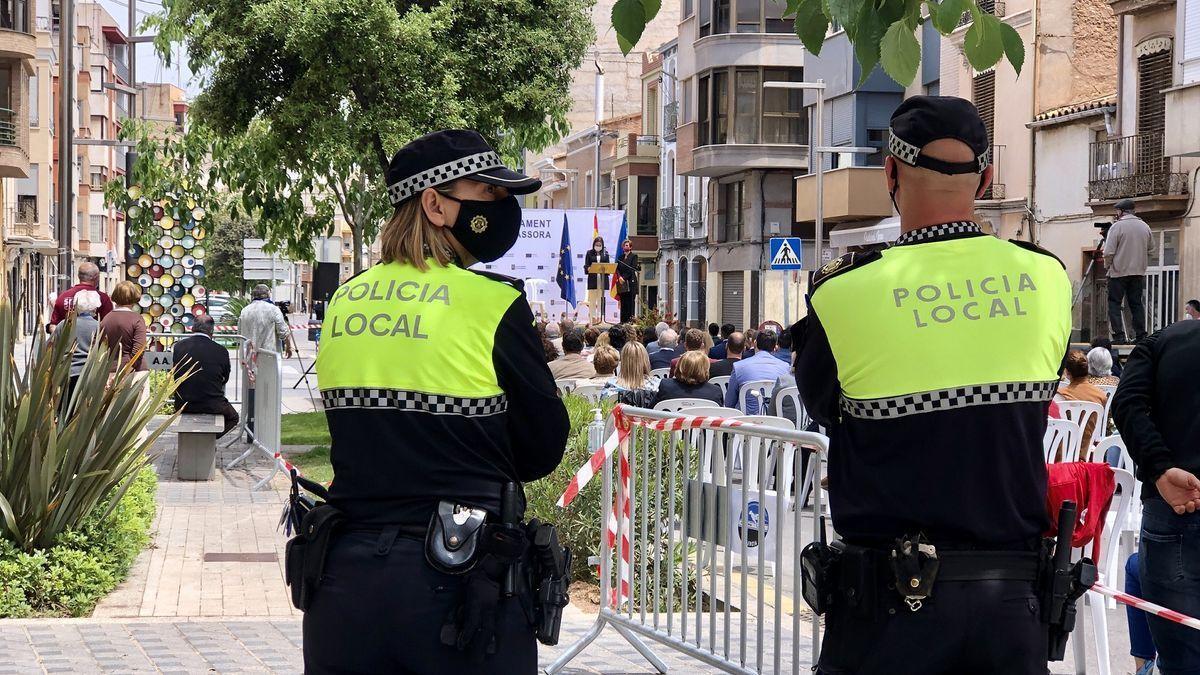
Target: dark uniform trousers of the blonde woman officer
x=381 y=610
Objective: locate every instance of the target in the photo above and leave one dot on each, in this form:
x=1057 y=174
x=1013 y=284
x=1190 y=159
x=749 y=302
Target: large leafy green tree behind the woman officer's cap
x=309 y=98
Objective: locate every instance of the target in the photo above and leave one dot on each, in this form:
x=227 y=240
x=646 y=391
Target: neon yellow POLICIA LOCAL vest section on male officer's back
x=946 y=325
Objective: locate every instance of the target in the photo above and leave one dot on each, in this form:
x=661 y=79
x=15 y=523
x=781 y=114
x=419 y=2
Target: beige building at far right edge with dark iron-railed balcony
x=1155 y=157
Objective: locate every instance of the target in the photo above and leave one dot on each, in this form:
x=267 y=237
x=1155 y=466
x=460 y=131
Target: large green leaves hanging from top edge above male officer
x=883 y=32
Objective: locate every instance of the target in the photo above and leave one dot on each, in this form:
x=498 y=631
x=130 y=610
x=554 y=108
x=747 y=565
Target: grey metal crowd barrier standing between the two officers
x=709 y=553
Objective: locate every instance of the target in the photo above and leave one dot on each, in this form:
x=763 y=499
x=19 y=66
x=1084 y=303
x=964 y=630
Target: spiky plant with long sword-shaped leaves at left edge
x=61 y=458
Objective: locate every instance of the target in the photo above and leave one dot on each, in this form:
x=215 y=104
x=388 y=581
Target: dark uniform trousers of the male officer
x=979 y=628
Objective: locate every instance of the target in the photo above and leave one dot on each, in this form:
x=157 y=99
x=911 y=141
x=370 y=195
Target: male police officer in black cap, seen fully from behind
x=935 y=396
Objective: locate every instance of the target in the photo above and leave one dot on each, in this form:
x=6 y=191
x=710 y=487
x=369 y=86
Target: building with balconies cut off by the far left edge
x=22 y=236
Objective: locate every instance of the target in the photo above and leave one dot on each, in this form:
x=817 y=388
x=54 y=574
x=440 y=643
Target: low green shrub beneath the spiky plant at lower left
x=85 y=564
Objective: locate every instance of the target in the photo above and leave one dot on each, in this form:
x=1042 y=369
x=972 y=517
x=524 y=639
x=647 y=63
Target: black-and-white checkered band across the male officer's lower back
x=950 y=399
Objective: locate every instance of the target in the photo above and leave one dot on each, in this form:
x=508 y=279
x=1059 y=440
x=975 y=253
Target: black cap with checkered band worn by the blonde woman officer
x=445 y=157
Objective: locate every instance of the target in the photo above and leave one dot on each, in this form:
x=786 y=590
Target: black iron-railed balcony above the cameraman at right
x=1135 y=168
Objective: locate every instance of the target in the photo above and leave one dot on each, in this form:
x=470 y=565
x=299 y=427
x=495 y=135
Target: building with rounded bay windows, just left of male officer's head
x=740 y=148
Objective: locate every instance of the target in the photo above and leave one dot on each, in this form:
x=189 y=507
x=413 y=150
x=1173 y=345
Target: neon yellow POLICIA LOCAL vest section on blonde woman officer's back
x=399 y=338
